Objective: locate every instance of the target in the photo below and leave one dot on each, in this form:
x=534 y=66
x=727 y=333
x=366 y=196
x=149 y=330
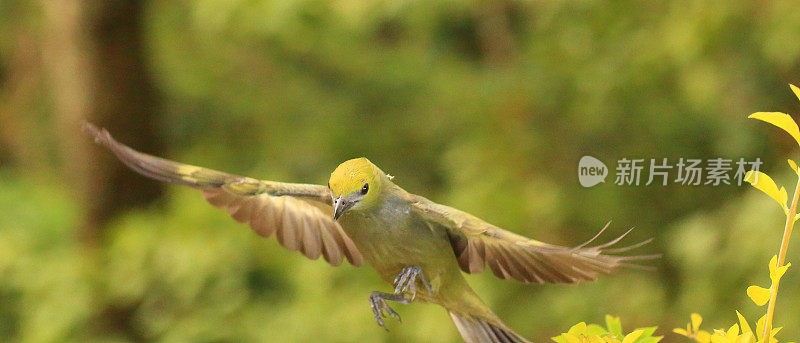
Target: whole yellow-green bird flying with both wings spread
x=418 y=246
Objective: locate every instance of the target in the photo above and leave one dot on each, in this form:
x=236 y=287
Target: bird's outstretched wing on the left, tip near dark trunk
x=300 y=215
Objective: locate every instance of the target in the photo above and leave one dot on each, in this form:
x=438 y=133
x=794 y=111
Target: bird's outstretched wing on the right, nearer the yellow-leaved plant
x=477 y=243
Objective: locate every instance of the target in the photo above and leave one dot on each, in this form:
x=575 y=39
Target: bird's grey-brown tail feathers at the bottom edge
x=477 y=330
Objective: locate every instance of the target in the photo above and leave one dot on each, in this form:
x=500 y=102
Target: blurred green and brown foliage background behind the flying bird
x=483 y=105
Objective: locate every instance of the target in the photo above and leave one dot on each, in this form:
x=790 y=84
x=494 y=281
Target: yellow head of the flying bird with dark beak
x=356 y=185
